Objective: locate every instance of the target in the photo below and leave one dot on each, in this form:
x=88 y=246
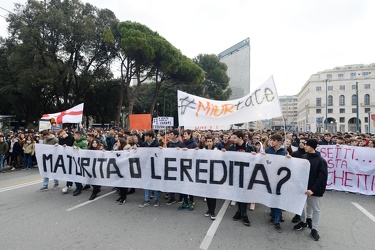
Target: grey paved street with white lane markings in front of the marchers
x=52 y=220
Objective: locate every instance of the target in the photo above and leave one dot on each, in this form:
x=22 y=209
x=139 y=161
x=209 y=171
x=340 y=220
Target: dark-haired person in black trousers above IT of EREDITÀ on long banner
x=239 y=145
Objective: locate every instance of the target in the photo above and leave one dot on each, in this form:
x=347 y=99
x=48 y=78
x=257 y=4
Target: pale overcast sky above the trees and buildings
x=290 y=39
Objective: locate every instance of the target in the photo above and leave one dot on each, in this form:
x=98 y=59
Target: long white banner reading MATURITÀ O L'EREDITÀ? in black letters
x=272 y=180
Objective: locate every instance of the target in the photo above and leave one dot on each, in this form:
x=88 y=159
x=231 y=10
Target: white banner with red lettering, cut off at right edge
x=350 y=168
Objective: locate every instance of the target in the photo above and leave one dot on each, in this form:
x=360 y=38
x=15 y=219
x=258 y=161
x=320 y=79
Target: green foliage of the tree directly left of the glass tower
x=216 y=82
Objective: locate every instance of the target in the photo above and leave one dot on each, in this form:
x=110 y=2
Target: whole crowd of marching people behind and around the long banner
x=17 y=150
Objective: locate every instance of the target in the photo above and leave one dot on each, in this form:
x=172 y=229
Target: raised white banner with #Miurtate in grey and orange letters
x=195 y=111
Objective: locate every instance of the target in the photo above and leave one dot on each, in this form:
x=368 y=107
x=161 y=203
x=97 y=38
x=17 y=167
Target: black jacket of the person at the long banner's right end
x=318 y=174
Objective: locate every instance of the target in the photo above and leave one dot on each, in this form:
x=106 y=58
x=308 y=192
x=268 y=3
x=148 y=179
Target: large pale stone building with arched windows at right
x=339 y=99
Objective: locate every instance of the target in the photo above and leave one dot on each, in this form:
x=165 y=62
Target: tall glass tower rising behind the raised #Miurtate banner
x=237 y=58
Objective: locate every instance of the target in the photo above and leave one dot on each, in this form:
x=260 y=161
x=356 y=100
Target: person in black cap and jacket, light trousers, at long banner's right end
x=315 y=188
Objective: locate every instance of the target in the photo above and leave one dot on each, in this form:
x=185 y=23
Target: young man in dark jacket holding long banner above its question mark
x=276 y=149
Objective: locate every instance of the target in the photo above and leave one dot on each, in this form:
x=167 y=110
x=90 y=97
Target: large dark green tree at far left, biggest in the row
x=55 y=51
